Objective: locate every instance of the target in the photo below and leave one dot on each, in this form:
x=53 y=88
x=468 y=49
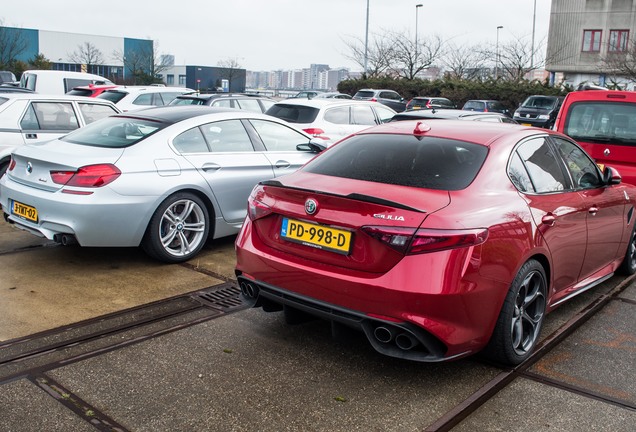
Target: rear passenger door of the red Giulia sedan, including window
x=559 y=212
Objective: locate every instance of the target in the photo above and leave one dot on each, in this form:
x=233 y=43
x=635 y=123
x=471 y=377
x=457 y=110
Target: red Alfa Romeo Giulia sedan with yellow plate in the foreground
x=438 y=239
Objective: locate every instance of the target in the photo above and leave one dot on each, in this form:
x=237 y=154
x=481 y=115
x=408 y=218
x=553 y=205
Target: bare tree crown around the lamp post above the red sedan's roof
x=408 y=59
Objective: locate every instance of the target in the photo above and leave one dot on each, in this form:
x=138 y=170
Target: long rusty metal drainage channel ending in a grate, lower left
x=48 y=350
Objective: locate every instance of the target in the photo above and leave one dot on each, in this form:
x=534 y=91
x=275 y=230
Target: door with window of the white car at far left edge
x=46 y=120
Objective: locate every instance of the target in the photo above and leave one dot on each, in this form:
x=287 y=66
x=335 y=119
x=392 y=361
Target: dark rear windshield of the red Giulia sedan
x=405 y=160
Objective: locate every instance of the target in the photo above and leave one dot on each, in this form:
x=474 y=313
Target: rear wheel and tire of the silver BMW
x=178 y=229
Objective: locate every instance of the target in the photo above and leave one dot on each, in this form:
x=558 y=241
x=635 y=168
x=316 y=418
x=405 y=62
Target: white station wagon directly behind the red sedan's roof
x=331 y=119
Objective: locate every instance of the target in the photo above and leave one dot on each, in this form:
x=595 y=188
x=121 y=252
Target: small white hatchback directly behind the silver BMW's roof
x=130 y=98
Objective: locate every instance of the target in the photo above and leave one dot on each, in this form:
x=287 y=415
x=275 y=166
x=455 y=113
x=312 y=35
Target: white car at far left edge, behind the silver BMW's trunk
x=35 y=118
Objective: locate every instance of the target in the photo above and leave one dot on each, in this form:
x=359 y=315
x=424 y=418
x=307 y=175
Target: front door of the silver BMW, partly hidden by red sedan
x=279 y=146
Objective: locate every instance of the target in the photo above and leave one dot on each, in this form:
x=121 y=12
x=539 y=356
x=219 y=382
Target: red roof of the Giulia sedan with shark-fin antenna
x=484 y=133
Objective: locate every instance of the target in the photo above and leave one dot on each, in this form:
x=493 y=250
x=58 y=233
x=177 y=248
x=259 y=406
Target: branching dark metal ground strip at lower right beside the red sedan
x=455 y=416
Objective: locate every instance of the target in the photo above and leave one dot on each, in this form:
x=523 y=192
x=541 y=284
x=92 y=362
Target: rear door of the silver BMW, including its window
x=223 y=153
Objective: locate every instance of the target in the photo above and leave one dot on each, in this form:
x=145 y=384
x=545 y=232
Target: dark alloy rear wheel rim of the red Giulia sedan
x=528 y=313
